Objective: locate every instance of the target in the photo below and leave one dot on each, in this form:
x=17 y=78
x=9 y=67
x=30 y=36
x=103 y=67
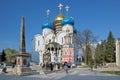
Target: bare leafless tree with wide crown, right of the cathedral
x=85 y=38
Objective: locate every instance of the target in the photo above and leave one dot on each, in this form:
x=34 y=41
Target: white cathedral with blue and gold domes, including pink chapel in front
x=57 y=43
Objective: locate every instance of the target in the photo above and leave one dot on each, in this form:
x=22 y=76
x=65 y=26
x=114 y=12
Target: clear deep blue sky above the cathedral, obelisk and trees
x=100 y=16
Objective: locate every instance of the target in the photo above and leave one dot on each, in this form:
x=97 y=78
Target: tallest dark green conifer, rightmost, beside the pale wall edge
x=110 y=48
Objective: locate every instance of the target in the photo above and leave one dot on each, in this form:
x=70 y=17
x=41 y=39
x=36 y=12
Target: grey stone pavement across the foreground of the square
x=74 y=74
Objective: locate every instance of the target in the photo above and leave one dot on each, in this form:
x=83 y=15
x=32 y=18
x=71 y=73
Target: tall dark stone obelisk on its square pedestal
x=22 y=57
